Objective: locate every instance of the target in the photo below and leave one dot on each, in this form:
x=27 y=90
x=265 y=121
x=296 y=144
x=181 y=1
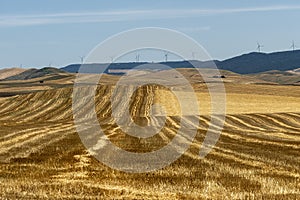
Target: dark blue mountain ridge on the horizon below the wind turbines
x=244 y=64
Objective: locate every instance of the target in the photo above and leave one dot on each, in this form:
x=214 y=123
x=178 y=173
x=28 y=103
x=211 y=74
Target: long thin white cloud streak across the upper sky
x=110 y=16
